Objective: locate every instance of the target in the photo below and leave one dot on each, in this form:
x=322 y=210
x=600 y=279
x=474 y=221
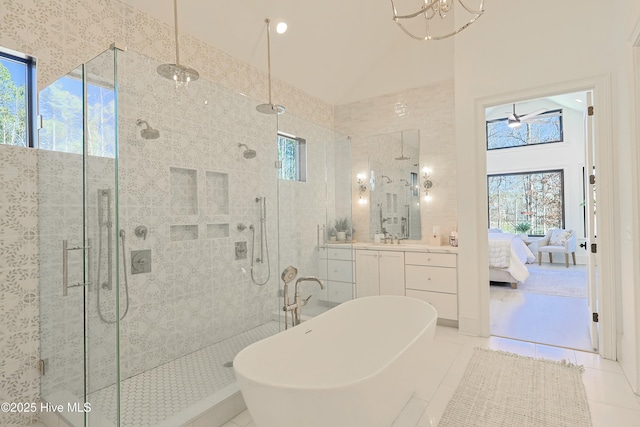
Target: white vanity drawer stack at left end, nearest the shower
x=335 y=266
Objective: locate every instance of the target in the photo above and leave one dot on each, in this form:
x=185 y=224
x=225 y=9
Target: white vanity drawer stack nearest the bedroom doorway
x=432 y=277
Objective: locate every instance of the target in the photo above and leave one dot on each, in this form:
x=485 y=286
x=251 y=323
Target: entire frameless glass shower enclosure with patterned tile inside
x=162 y=242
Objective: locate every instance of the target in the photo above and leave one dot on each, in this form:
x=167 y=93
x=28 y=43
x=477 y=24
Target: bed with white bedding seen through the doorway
x=508 y=256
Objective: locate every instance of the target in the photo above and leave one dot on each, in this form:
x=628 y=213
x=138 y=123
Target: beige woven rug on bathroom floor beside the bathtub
x=503 y=389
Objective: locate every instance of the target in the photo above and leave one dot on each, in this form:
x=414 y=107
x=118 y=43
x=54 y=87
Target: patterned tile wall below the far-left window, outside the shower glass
x=19 y=346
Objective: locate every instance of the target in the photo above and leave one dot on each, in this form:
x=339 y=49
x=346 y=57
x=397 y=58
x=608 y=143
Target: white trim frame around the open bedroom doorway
x=601 y=88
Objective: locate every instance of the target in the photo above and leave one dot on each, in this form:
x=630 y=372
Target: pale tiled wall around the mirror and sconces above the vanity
x=429 y=109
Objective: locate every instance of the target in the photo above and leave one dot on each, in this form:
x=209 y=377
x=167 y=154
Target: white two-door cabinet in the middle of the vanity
x=379 y=273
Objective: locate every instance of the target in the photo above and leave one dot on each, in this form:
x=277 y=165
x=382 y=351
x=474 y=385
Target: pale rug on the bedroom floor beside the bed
x=554 y=280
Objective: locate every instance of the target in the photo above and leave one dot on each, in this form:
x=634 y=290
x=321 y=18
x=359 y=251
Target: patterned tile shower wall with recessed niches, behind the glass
x=191 y=188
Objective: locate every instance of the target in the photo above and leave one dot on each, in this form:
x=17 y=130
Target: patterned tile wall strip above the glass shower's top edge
x=63 y=34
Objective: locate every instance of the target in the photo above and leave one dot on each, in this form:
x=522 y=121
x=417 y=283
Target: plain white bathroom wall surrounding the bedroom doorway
x=553 y=43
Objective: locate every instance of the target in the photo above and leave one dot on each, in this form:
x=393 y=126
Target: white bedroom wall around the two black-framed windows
x=568 y=155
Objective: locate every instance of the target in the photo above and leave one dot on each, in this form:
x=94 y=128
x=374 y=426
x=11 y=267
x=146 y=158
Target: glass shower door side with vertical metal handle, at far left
x=76 y=155
